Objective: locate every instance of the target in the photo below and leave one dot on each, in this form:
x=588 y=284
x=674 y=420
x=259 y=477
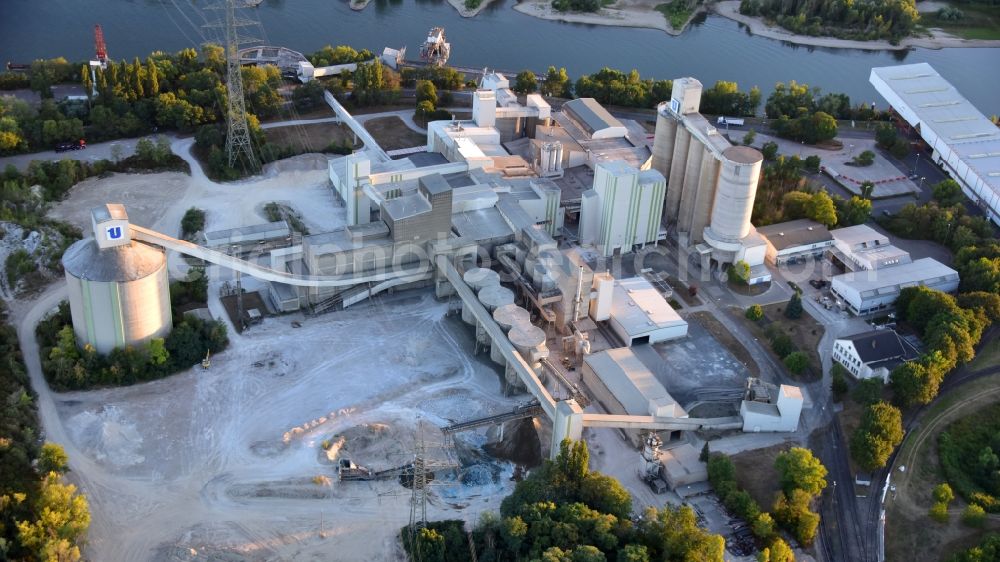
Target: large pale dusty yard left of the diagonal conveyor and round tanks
x=223 y=460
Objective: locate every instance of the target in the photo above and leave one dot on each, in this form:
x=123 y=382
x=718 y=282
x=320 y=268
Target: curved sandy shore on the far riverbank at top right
x=730 y=9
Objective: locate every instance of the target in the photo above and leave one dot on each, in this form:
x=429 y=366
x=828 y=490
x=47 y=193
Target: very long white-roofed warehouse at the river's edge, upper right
x=965 y=142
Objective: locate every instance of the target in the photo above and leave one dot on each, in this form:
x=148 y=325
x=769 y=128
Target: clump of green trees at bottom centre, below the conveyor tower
x=564 y=512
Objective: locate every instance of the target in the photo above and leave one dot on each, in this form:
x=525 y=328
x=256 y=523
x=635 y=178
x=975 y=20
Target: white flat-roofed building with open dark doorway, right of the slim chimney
x=640 y=314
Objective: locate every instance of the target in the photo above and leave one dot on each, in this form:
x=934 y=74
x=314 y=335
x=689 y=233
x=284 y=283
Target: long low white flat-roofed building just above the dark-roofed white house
x=868 y=292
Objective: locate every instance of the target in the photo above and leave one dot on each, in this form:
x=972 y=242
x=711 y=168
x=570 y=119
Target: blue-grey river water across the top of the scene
x=499 y=37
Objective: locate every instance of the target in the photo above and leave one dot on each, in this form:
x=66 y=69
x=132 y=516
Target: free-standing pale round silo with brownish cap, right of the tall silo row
x=734 y=196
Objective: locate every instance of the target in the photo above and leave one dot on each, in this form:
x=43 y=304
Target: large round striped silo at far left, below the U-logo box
x=118 y=296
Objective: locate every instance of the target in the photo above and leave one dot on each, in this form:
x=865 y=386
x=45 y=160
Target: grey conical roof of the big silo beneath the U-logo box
x=84 y=260
